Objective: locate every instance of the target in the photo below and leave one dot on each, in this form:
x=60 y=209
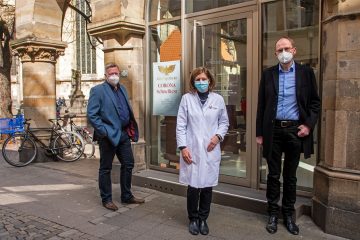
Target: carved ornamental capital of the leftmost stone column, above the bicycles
x=39 y=54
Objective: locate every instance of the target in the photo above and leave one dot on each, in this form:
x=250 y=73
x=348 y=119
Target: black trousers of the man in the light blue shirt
x=285 y=140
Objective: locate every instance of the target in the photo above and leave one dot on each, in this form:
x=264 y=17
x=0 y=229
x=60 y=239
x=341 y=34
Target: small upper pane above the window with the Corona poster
x=164 y=9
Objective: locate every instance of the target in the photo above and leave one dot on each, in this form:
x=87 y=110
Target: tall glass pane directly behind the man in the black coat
x=298 y=20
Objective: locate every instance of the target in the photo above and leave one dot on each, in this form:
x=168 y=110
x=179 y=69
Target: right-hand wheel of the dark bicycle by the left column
x=69 y=146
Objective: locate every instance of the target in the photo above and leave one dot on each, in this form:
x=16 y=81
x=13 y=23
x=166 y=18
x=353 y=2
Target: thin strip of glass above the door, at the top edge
x=200 y=5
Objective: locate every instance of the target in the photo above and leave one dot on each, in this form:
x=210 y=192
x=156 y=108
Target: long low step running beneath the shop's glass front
x=248 y=199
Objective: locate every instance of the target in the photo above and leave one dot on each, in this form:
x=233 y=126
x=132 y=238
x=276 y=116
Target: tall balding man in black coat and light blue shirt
x=288 y=109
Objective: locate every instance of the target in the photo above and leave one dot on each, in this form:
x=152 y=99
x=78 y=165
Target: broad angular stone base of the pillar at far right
x=336 y=208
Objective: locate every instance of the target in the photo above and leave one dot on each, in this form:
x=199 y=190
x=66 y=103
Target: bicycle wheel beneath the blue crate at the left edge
x=19 y=150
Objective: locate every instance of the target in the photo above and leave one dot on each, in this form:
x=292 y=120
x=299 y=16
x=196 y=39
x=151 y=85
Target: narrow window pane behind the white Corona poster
x=165 y=45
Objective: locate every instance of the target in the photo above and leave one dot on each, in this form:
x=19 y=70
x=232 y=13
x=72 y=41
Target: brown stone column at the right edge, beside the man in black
x=336 y=201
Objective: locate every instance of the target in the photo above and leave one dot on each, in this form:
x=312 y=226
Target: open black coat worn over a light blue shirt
x=307 y=98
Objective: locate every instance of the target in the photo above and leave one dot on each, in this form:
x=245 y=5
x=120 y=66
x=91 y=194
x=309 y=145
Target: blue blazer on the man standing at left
x=104 y=116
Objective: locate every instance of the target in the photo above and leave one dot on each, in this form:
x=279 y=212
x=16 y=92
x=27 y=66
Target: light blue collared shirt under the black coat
x=287 y=108
